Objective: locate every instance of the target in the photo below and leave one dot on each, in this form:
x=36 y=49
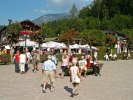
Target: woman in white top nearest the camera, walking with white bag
x=75 y=78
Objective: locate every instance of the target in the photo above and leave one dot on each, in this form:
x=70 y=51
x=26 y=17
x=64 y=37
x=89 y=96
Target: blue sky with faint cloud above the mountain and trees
x=19 y=10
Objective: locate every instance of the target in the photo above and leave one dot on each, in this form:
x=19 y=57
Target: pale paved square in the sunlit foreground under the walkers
x=116 y=83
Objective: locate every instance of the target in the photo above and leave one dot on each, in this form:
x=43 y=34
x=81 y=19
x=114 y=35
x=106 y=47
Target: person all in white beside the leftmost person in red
x=22 y=62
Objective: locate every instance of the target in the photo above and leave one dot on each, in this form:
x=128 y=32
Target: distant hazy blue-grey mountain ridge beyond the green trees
x=50 y=17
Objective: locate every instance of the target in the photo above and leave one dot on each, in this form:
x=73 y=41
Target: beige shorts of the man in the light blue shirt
x=49 y=76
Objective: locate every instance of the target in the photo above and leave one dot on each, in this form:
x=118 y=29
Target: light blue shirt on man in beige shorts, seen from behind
x=49 y=65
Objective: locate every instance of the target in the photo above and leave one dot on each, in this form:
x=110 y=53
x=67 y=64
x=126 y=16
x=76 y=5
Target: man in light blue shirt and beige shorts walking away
x=48 y=73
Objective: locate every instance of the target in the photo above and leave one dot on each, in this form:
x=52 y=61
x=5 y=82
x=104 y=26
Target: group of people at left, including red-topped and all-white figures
x=23 y=58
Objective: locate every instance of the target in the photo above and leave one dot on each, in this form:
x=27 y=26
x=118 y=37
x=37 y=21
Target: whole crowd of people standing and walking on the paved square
x=76 y=68
